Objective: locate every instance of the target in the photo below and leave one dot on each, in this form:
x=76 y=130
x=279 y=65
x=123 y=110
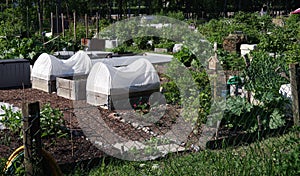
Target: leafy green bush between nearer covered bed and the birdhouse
x=188 y=85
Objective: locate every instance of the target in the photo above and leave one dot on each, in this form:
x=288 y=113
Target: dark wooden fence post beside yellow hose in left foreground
x=32 y=139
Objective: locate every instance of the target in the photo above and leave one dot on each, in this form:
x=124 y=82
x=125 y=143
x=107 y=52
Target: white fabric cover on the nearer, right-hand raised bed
x=137 y=76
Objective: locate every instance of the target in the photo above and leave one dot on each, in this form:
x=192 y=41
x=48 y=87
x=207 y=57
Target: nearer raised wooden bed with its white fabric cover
x=110 y=87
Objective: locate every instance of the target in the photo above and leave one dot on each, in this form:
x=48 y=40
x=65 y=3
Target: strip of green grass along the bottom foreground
x=273 y=156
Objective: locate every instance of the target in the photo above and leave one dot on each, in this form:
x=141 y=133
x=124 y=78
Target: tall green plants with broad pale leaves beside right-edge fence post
x=263 y=78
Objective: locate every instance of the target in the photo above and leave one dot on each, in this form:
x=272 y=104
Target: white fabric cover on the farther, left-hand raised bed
x=48 y=67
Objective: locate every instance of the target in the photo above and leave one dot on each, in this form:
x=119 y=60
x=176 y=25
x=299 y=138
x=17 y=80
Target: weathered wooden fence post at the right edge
x=295 y=87
